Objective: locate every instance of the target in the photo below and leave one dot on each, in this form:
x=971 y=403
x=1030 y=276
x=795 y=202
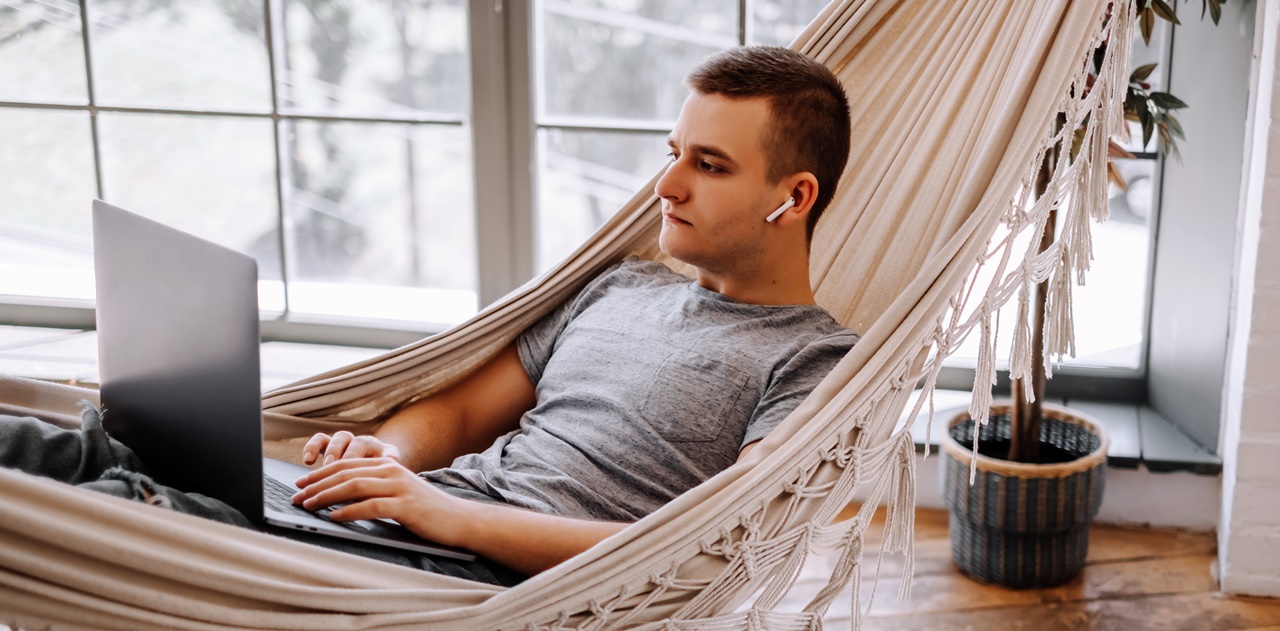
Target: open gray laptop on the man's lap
x=179 y=364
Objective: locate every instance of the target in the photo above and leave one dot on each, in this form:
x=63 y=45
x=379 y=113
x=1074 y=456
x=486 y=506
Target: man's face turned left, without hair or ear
x=716 y=193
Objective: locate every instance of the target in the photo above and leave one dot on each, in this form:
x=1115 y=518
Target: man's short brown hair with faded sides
x=811 y=112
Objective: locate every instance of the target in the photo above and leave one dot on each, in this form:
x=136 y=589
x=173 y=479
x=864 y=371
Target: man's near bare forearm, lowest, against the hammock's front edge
x=529 y=542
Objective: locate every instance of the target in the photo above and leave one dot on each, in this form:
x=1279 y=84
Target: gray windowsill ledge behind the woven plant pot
x=1139 y=435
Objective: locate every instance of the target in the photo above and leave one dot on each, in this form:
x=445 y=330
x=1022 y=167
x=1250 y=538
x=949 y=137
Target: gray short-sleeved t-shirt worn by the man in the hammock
x=648 y=385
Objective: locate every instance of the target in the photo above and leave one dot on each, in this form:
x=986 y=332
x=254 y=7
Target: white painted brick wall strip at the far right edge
x=1250 y=533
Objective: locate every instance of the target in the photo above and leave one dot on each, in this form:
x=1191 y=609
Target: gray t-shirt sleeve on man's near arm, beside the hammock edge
x=796 y=381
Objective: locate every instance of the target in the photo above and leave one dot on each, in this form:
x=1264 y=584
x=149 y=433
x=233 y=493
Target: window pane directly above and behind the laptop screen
x=213 y=177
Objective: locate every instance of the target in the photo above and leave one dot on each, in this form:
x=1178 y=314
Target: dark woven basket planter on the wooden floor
x=1025 y=525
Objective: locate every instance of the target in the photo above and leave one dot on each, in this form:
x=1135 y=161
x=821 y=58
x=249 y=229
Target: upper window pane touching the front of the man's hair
x=627 y=60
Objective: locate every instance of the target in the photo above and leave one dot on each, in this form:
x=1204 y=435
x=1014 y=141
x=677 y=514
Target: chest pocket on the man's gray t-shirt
x=692 y=397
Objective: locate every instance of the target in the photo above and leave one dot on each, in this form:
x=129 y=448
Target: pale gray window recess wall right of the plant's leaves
x=1209 y=68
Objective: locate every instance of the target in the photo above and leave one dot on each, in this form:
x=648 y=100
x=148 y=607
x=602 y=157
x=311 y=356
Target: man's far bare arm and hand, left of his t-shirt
x=429 y=435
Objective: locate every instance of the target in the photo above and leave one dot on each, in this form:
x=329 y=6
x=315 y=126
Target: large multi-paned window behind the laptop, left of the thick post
x=327 y=139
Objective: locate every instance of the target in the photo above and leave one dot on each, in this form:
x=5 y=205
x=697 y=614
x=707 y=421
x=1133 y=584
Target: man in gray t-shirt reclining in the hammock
x=644 y=385
